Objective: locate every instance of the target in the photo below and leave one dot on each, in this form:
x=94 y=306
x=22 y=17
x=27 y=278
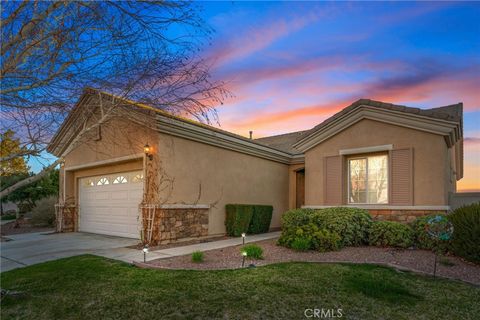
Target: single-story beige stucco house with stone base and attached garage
x=134 y=171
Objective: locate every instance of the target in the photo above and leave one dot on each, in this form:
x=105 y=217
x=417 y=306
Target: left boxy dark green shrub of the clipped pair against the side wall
x=238 y=217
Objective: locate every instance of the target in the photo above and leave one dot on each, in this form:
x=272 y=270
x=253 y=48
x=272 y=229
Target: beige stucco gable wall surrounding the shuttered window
x=431 y=159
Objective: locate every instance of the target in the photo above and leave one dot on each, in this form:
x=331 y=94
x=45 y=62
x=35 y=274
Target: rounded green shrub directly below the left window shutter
x=351 y=224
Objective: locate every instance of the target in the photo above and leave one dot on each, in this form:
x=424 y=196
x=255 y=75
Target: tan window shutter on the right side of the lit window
x=402 y=177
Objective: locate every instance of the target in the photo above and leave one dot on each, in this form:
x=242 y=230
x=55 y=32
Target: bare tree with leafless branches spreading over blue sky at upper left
x=143 y=51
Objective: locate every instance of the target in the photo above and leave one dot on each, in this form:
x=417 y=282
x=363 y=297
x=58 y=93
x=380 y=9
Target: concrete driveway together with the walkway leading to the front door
x=31 y=248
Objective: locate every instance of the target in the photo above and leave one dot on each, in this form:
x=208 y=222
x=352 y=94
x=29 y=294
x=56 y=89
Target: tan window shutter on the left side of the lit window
x=333 y=180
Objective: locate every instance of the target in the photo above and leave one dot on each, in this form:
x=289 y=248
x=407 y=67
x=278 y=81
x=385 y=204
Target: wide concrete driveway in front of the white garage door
x=31 y=248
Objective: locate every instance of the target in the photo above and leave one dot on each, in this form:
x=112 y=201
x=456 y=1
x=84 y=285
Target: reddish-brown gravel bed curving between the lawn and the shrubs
x=415 y=260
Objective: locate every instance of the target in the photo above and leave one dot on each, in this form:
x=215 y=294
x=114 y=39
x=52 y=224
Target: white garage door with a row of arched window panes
x=109 y=204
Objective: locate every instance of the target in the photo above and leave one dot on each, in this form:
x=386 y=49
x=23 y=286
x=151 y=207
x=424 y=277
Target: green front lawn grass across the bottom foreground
x=90 y=287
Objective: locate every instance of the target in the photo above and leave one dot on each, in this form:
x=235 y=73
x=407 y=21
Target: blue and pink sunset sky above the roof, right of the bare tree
x=292 y=65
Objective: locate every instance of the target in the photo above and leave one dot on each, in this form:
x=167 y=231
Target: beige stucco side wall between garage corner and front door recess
x=205 y=174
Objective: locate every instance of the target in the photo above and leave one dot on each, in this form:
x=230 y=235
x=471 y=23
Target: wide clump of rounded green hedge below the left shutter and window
x=350 y=225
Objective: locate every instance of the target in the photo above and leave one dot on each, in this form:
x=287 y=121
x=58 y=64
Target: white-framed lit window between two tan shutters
x=368 y=179
